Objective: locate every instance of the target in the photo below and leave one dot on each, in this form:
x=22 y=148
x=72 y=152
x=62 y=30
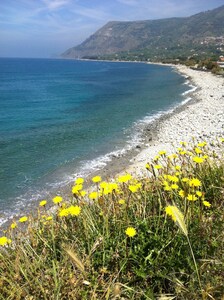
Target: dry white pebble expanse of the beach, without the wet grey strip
x=201 y=118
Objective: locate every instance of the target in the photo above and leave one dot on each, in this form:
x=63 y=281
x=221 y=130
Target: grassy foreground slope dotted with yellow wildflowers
x=157 y=237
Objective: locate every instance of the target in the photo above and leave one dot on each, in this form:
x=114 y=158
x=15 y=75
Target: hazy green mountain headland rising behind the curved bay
x=155 y=38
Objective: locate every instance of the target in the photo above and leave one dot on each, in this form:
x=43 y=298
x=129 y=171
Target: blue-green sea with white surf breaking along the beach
x=62 y=119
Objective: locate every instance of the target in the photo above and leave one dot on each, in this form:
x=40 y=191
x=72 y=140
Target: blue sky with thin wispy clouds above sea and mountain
x=42 y=28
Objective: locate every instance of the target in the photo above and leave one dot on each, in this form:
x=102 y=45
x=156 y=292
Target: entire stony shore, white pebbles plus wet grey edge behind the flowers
x=165 y=132
